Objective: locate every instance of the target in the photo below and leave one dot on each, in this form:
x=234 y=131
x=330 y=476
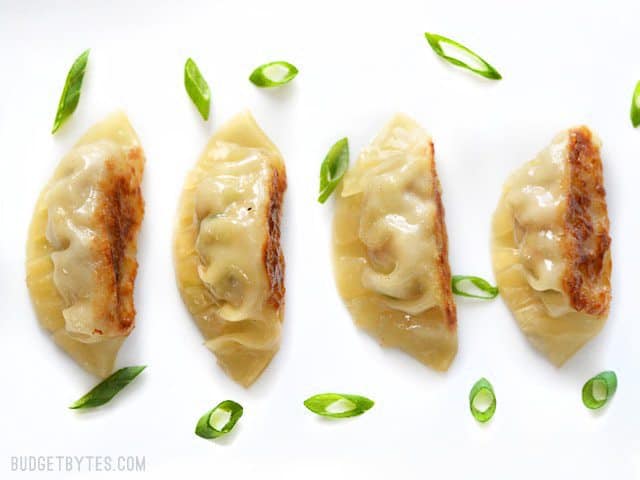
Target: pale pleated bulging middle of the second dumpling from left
x=231 y=209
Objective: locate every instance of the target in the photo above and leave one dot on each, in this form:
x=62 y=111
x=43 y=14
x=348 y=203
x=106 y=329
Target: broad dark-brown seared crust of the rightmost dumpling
x=586 y=241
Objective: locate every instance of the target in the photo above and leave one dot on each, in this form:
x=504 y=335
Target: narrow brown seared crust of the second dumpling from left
x=272 y=251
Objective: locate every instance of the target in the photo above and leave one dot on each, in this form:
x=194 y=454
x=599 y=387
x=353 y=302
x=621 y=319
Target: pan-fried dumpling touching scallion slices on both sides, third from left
x=390 y=246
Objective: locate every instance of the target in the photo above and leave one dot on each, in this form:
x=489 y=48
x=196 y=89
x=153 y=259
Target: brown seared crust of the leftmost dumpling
x=120 y=212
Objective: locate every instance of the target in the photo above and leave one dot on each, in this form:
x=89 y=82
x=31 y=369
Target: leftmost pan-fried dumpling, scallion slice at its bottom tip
x=81 y=249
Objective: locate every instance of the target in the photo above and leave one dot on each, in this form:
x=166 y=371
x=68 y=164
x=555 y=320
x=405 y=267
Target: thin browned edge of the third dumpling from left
x=442 y=242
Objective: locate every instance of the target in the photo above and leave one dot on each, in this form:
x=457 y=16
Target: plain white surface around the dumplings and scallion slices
x=563 y=63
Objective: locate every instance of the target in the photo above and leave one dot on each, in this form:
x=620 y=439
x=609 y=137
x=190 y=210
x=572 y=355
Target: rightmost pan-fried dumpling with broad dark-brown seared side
x=551 y=245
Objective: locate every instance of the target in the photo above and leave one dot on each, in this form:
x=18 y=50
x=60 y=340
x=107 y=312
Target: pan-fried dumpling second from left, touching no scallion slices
x=229 y=264
